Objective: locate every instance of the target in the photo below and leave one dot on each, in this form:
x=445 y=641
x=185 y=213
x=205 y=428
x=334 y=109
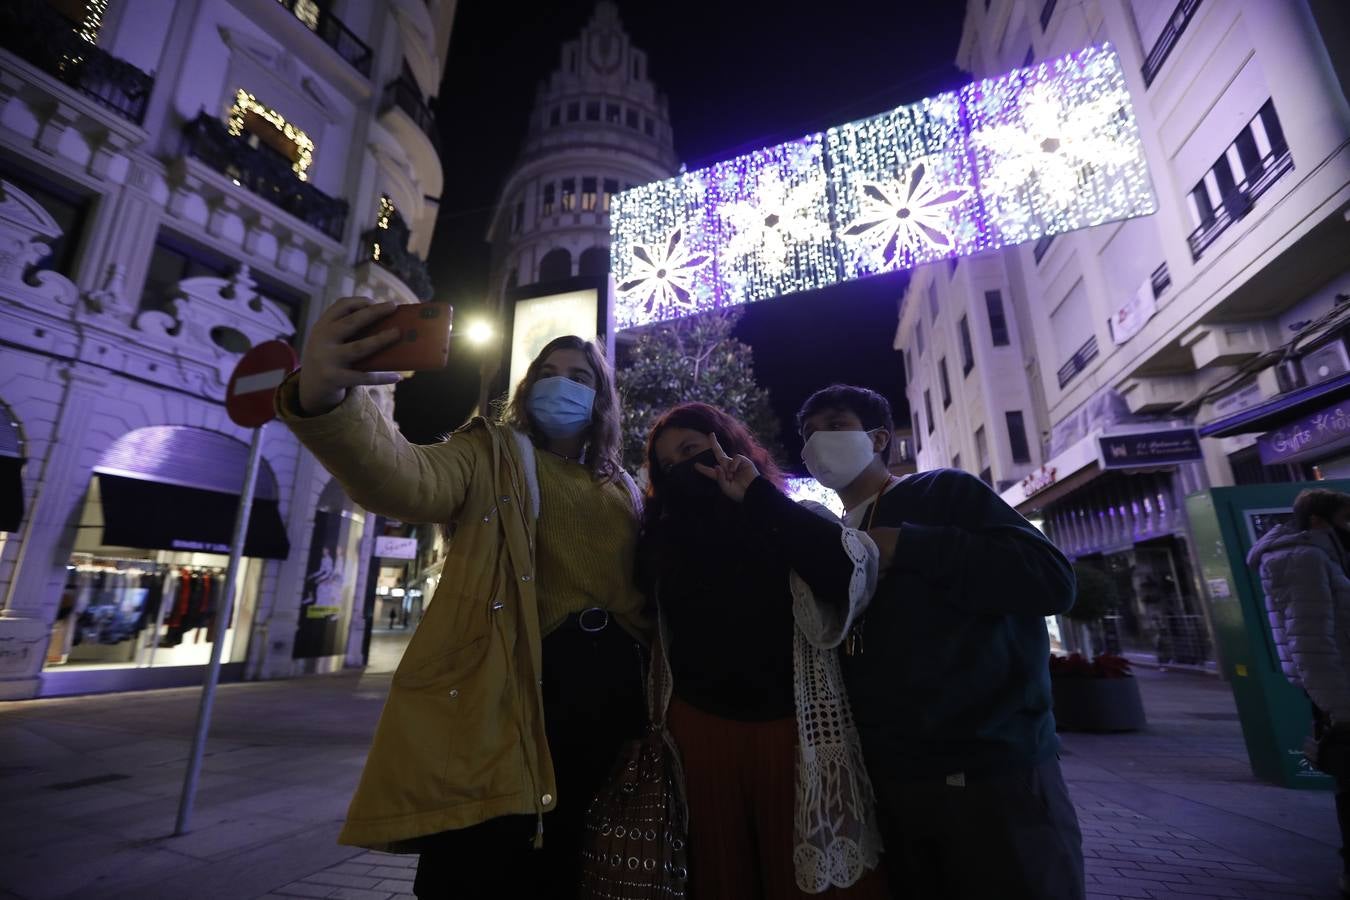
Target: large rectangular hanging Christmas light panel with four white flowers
x=1039 y=152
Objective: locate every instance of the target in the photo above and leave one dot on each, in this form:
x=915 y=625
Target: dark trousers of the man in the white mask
x=1012 y=836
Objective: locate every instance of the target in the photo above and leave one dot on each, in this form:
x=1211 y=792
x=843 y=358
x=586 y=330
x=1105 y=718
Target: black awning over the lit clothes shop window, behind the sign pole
x=160 y=516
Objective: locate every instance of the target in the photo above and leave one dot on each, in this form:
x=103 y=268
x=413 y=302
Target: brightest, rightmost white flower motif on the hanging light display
x=1058 y=144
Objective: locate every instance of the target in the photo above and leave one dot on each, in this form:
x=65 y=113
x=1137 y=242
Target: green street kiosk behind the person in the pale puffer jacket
x=1226 y=523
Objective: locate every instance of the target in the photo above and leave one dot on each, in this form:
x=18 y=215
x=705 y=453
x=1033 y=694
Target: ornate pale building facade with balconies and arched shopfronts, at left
x=180 y=181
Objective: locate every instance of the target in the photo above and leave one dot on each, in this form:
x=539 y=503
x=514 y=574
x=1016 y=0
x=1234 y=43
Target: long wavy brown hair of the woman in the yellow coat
x=604 y=434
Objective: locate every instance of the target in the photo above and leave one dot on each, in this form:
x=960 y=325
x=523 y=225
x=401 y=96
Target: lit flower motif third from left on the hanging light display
x=909 y=215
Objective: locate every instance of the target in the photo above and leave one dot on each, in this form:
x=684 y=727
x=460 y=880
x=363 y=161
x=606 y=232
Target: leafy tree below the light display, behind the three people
x=691 y=360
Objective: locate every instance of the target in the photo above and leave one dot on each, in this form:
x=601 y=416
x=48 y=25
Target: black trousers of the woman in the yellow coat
x=595 y=700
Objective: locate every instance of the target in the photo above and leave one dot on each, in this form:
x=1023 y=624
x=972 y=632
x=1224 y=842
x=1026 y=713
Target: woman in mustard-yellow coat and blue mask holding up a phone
x=526 y=674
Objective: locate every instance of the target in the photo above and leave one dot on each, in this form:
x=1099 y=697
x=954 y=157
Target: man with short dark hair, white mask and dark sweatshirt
x=948 y=673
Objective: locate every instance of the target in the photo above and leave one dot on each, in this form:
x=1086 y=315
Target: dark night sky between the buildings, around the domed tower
x=738 y=78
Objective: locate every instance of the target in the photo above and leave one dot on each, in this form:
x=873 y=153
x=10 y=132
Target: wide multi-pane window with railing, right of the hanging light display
x=1256 y=160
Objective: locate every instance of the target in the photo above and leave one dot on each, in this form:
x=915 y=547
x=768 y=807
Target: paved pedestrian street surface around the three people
x=90 y=790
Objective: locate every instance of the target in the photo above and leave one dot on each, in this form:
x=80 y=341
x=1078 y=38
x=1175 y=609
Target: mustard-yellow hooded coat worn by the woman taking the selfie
x=462 y=735
